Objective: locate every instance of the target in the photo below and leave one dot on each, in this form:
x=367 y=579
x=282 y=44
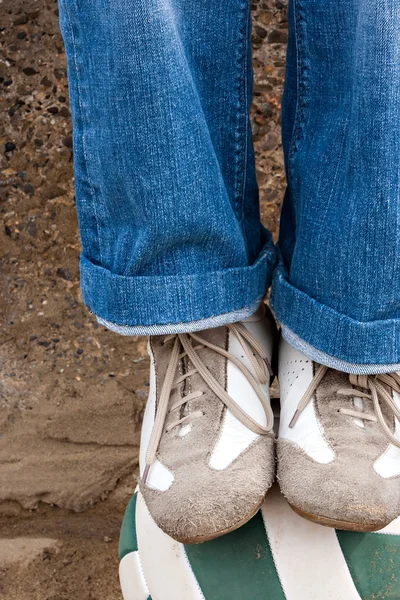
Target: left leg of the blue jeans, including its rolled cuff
x=164 y=166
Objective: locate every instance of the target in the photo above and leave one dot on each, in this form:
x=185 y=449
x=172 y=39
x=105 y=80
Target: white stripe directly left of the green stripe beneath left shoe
x=166 y=567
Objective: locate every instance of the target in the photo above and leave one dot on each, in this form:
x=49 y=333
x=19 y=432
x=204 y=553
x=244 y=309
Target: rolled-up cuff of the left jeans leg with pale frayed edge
x=149 y=305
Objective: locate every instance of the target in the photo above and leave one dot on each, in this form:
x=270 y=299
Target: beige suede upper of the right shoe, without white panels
x=347 y=489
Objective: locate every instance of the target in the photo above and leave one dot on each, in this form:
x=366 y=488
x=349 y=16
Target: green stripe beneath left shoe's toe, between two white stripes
x=237 y=566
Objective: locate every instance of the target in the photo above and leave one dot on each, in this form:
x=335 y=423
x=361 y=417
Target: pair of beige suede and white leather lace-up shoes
x=211 y=446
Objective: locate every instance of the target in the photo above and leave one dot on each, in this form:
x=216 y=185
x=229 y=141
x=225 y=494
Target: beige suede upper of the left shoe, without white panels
x=203 y=502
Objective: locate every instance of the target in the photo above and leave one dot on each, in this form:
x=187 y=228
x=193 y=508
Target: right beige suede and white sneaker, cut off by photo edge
x=338 y=446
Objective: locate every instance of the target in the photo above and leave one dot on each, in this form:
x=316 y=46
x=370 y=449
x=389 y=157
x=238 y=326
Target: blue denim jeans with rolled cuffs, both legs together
x=165 y=175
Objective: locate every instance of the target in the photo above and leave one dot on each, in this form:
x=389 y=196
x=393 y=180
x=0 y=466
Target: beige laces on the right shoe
x=376 y=391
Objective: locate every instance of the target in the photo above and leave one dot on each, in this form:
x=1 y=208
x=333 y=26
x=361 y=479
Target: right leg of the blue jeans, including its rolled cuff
x=337 y=288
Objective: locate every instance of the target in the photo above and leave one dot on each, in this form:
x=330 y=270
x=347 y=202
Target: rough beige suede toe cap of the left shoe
x=203 y=503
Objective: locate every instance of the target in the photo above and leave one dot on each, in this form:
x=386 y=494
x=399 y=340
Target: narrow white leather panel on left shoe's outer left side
x=159 y=477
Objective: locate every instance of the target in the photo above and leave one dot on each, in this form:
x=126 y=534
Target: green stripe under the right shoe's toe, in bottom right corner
x=374 y=563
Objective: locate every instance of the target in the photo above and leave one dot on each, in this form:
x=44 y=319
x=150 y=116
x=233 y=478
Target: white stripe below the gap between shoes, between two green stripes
x=308 y=558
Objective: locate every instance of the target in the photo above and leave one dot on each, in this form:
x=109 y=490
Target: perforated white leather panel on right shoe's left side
x=295 y=375
